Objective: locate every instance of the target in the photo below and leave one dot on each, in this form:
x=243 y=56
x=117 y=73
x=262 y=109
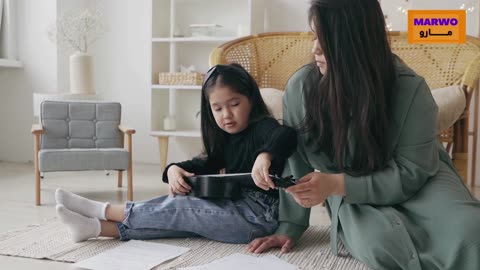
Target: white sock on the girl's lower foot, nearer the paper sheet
x=82 y=228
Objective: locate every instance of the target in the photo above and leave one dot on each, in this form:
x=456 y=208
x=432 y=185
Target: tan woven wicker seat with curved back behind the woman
x=272 y=58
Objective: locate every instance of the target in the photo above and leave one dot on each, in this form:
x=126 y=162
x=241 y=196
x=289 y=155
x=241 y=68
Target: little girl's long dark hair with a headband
x=240 y=81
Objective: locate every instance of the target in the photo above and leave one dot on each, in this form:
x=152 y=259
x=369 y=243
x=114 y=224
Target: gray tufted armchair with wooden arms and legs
x=81 y=136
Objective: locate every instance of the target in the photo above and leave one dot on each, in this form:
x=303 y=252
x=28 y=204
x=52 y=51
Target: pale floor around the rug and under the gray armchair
x=17 y=208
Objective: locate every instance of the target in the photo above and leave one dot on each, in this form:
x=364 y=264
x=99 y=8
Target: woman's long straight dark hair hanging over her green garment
x=351 y=101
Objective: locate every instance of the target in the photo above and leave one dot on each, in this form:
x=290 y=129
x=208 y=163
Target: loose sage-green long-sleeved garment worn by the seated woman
x=405 y=216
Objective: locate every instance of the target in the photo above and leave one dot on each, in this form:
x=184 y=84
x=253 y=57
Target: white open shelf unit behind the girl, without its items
x=173 y=46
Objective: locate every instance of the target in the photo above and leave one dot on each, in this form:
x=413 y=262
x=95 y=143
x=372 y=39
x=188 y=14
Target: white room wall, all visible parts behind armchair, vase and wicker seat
x=121 y=64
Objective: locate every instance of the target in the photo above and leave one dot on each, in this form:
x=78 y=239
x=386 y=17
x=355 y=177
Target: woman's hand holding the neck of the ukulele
x=315 y=187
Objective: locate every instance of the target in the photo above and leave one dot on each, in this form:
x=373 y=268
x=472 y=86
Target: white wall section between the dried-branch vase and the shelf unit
x=123 y=70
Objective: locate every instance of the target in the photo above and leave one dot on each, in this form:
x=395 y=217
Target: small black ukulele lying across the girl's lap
x=220 y=186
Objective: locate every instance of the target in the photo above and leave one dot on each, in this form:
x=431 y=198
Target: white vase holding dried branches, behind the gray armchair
x=81 y=76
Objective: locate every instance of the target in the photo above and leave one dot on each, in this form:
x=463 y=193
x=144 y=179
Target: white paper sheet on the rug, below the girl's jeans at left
x=133 y=255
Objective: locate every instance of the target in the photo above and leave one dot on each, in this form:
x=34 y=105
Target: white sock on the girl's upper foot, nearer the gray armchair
x=81 y=205
